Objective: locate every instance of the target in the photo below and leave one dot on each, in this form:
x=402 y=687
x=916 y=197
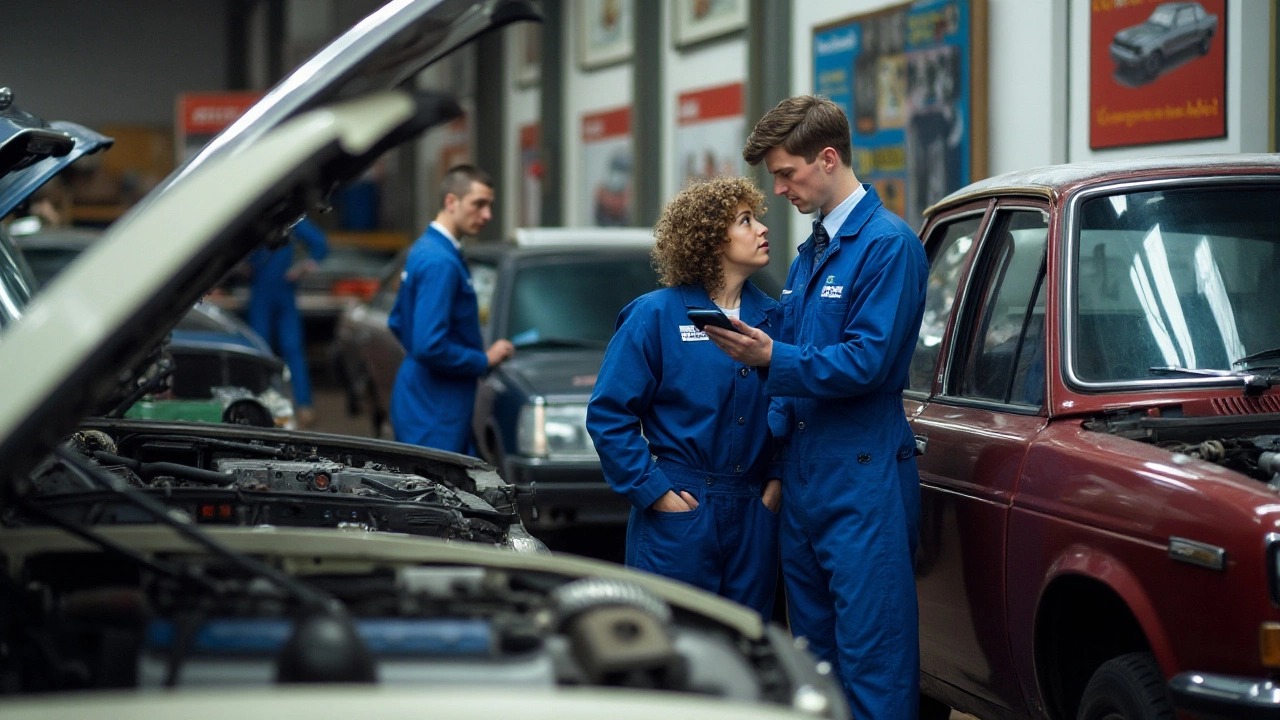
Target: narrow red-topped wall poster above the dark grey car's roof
x=607 y=168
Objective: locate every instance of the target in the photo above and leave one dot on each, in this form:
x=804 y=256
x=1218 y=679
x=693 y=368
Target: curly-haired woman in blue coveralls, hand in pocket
x=682 y=429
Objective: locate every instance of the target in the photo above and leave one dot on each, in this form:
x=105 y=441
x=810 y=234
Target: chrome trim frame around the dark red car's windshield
x=1072 y=220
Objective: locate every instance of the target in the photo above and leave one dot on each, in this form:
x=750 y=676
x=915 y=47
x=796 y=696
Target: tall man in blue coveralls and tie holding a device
x=852 y=312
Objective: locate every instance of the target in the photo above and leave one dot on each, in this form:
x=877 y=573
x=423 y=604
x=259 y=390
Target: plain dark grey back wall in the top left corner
x=117 y=62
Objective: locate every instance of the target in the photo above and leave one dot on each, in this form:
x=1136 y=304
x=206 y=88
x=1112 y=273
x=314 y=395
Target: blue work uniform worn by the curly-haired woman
x=705 y=423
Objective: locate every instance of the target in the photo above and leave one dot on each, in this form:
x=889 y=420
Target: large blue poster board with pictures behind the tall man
x=912 y=80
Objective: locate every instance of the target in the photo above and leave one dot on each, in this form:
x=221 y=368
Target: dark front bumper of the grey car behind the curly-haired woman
x=566 y=494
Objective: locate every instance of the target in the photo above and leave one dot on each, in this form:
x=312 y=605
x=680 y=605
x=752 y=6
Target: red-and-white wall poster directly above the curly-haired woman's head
x=710 y=131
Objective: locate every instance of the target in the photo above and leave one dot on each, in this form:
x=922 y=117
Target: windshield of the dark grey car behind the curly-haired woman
x=575 y=299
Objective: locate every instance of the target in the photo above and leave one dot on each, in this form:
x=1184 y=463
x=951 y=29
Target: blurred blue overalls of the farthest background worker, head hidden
x=273 y=309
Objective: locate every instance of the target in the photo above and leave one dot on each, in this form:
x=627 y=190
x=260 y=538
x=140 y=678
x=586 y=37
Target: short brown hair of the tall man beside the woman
x=802 y=126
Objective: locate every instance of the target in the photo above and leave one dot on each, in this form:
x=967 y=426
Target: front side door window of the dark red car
x=1005 y=323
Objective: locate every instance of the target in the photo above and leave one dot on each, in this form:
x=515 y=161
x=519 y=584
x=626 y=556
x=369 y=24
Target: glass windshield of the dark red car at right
x=1176 y=279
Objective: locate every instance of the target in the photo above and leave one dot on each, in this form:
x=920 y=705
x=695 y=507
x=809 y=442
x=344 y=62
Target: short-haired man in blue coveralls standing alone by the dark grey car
x=437 y=320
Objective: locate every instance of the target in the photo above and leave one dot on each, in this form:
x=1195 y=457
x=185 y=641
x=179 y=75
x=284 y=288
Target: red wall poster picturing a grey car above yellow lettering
x=1158 y=72
